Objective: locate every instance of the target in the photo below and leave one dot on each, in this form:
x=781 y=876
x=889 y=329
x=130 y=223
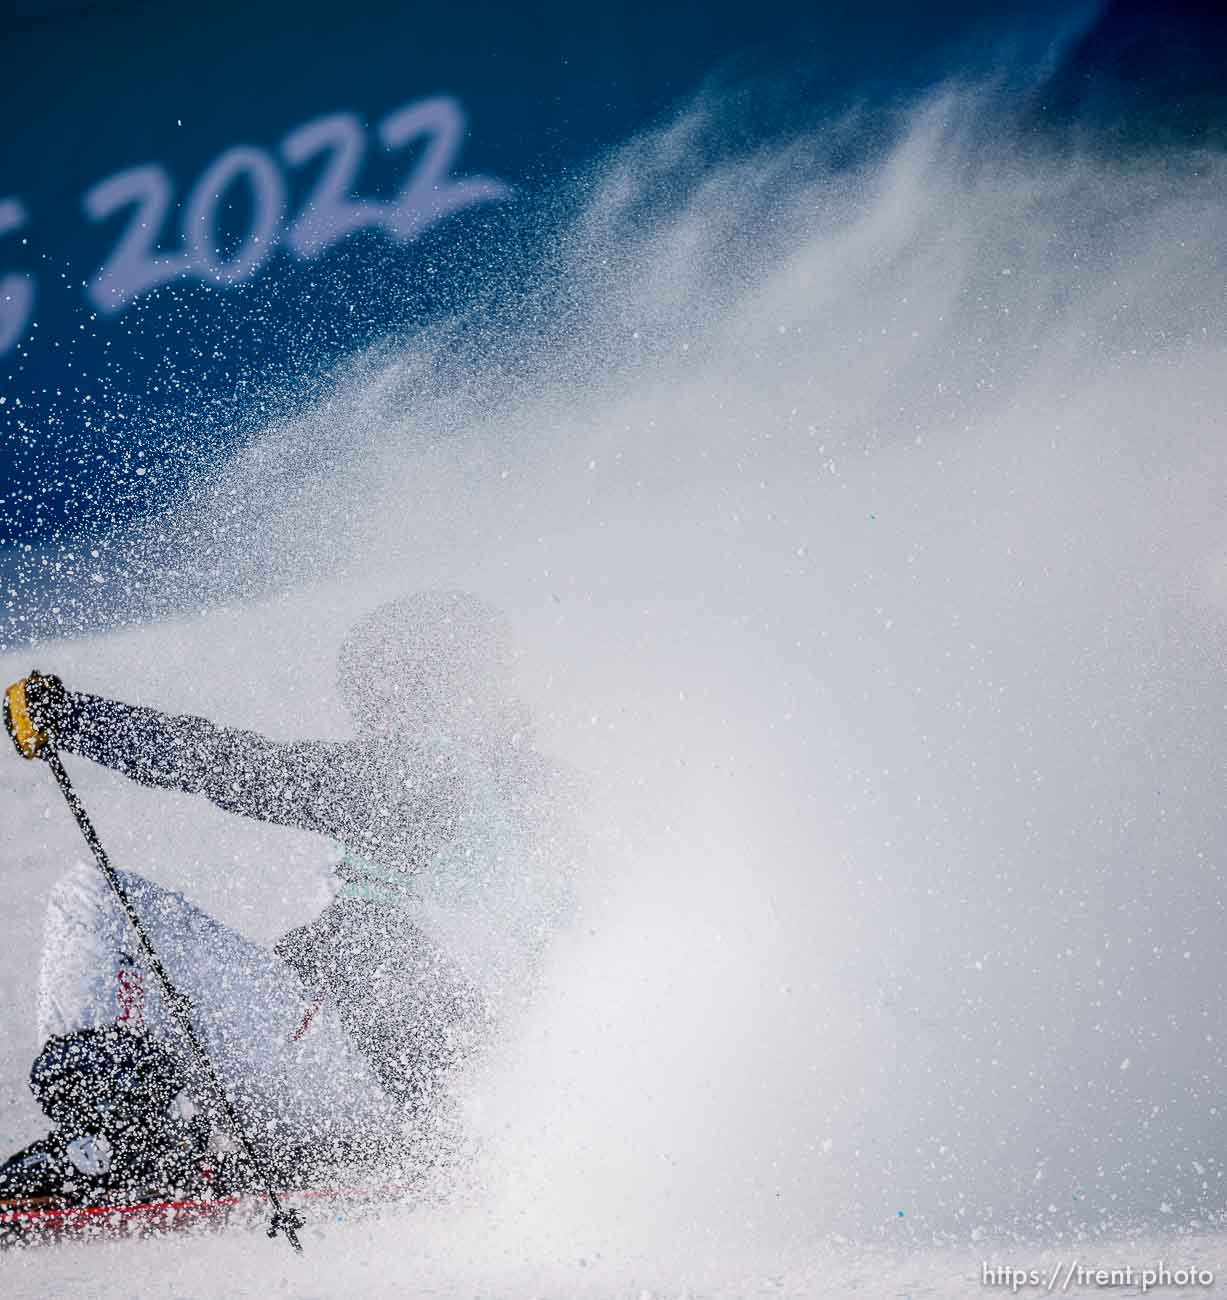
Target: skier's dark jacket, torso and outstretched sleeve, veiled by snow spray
x=479 y=850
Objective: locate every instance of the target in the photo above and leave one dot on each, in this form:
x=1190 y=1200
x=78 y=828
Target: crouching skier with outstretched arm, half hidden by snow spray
x=456 y=848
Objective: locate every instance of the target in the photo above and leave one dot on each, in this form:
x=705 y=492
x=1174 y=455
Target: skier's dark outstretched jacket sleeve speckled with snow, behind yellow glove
x=314 y=786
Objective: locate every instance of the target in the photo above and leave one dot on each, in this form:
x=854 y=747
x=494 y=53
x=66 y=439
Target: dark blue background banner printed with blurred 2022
x=205 y=207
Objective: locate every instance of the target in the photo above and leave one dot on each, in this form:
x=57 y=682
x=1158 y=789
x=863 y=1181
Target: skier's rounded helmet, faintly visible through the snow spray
x=433 y=662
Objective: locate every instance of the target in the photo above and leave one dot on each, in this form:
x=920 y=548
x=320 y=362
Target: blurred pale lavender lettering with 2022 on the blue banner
x=331 y=213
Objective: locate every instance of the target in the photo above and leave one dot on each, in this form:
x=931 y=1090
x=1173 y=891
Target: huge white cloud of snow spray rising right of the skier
x=862 y=530
